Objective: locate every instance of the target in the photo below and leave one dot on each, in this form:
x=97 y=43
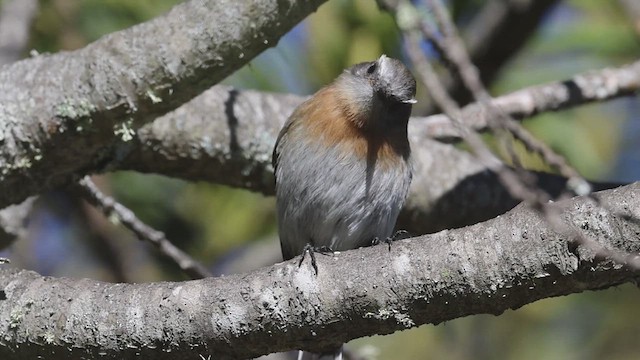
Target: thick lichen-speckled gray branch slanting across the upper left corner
x=59 y=113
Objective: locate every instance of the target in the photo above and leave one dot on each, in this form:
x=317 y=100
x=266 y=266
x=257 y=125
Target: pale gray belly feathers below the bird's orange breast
x=325 y=199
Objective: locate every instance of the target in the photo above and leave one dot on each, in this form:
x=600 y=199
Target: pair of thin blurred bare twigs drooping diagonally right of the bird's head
x=517 y=182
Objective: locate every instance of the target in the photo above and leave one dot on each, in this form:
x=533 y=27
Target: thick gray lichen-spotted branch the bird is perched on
x=490 y=267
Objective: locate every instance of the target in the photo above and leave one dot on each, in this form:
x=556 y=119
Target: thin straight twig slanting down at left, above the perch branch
x=144 y=232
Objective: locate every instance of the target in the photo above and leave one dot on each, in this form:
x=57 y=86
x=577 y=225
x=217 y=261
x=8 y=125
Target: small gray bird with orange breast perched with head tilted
x=342 y=164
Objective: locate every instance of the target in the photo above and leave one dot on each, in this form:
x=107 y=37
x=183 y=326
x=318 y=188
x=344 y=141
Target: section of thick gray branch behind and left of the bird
x=224 y=135
